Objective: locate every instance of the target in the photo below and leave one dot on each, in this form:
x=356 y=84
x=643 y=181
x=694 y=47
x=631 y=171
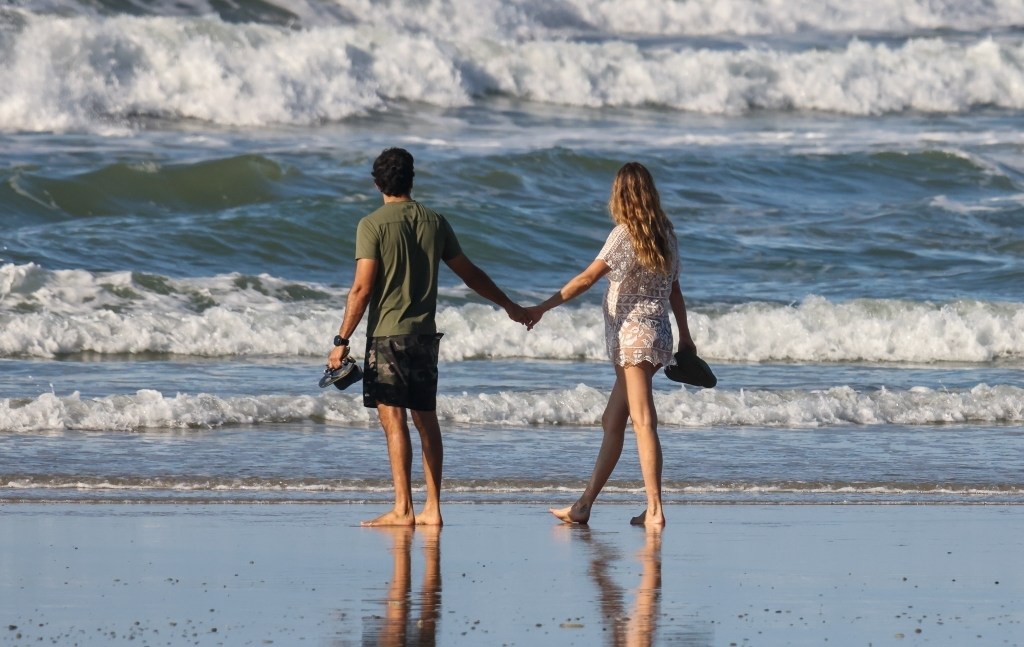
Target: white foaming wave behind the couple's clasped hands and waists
x=48 y=314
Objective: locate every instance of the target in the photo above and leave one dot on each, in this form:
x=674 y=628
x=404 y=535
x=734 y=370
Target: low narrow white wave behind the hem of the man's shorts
x=583 y=406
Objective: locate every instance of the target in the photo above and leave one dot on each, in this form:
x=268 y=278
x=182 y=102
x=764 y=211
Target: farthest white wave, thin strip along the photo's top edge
x=533 y=19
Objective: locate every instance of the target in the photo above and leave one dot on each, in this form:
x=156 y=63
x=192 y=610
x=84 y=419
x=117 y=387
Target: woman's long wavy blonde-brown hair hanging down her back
x=635 y=203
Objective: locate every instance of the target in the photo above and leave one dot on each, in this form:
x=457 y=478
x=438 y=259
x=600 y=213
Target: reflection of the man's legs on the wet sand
x=395 y=628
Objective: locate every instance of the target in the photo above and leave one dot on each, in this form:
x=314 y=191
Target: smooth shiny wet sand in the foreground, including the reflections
x=510 y=575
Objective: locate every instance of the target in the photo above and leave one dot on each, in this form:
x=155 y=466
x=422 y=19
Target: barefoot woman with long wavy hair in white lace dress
x=642 y=260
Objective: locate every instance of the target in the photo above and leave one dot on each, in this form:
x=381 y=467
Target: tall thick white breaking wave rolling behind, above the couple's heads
x=99 y=73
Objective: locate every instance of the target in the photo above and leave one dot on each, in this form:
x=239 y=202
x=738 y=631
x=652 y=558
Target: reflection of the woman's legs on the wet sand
x=638 y=628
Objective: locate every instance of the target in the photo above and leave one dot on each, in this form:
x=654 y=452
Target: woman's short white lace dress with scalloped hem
x=636 y=307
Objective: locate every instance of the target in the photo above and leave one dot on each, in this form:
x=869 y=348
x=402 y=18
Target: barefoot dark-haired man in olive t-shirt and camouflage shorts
x=398 y=252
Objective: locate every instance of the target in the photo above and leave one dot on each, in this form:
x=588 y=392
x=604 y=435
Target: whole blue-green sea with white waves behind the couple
x=180 y=188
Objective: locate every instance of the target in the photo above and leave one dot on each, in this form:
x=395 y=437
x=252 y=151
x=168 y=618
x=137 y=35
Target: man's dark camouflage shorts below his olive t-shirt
x=402 y=371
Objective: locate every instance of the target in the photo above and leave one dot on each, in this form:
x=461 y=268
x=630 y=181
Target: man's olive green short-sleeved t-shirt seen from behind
x=408 y=241
